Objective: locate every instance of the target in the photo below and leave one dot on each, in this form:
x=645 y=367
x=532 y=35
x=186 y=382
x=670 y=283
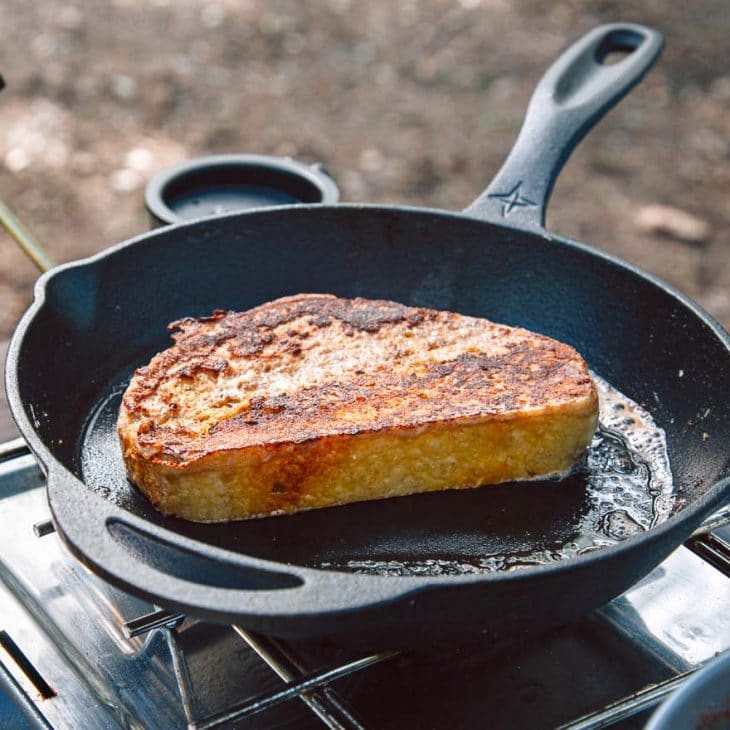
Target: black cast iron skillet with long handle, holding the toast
x=94 y=321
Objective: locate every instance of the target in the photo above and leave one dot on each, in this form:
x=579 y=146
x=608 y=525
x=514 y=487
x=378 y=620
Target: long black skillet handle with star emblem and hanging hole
x=577 y=90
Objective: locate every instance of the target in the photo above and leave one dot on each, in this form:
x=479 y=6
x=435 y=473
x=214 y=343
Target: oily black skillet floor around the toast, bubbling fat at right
x=622 y=487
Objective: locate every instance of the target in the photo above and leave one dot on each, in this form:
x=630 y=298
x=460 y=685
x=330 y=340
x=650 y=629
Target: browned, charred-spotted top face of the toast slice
x=312 y=366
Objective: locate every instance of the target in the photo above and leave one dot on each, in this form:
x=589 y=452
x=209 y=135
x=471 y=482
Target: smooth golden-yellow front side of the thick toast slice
x=333 y=470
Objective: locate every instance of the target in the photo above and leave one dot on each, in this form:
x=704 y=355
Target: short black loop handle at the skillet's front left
x=180 y=573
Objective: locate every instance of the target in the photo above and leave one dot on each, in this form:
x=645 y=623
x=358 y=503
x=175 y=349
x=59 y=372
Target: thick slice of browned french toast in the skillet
x=313 y=400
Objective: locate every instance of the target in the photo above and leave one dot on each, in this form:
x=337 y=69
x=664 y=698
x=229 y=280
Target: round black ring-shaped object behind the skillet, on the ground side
x=219 y=184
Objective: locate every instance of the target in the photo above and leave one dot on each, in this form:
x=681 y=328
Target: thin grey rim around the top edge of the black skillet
x=407 y=585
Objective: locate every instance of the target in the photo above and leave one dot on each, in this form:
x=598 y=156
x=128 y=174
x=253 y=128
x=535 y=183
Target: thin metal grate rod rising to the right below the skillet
x=292 y=690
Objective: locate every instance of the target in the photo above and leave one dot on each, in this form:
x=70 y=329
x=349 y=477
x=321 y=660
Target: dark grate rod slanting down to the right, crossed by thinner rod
x=325 y=703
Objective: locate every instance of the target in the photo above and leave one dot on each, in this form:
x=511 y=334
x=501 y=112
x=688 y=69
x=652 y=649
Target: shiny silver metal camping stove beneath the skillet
x=76 y=652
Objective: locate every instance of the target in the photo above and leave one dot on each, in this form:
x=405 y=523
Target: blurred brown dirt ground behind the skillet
x=405 y=101
